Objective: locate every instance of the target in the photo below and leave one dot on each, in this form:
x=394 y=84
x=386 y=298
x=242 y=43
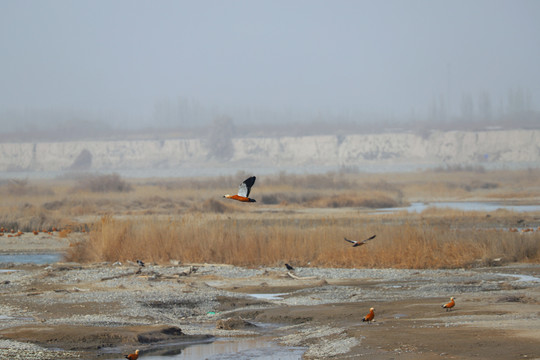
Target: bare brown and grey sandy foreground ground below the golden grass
x=102 y=311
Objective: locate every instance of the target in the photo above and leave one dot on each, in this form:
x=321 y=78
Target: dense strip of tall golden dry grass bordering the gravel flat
x=302 y=241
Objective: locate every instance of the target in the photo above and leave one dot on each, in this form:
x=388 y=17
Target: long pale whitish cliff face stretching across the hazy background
x=451 y=147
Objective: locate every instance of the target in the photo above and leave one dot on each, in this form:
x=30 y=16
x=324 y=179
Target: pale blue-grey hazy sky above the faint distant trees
x=385 y=57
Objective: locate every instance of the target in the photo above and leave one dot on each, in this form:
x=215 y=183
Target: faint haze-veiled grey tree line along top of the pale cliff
x=184 y=118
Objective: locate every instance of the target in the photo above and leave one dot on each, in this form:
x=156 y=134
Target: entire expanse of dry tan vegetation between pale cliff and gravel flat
x=297 y=218
